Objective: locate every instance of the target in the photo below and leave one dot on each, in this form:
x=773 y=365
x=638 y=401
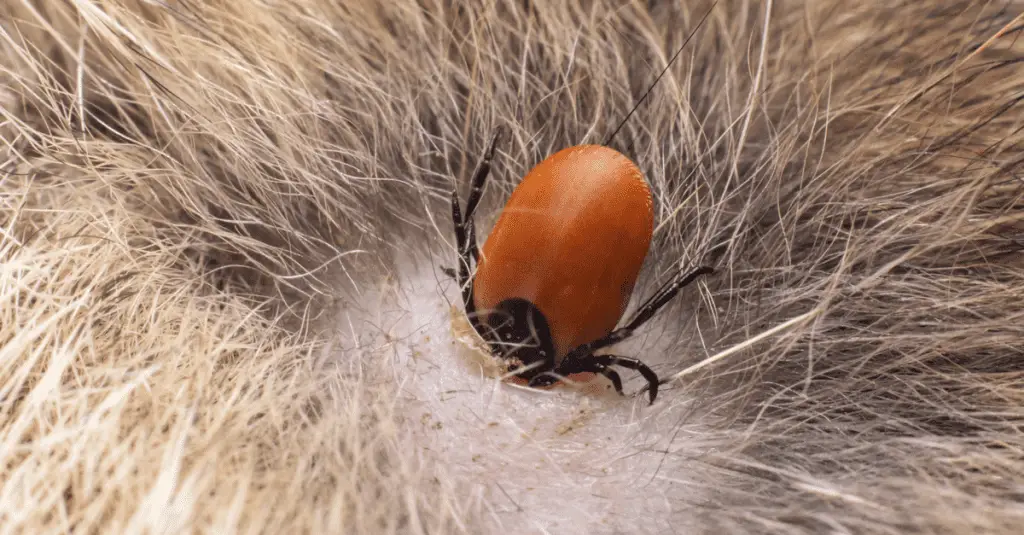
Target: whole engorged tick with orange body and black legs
x=558 y=271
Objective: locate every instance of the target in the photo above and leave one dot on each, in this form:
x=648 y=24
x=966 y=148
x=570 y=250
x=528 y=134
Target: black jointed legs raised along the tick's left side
x=465 y=233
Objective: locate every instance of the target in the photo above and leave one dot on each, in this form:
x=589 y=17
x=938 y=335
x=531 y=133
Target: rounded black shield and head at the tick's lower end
x=518 y=331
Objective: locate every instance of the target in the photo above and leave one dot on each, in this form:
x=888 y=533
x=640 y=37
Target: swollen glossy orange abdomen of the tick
x=571 y=240
